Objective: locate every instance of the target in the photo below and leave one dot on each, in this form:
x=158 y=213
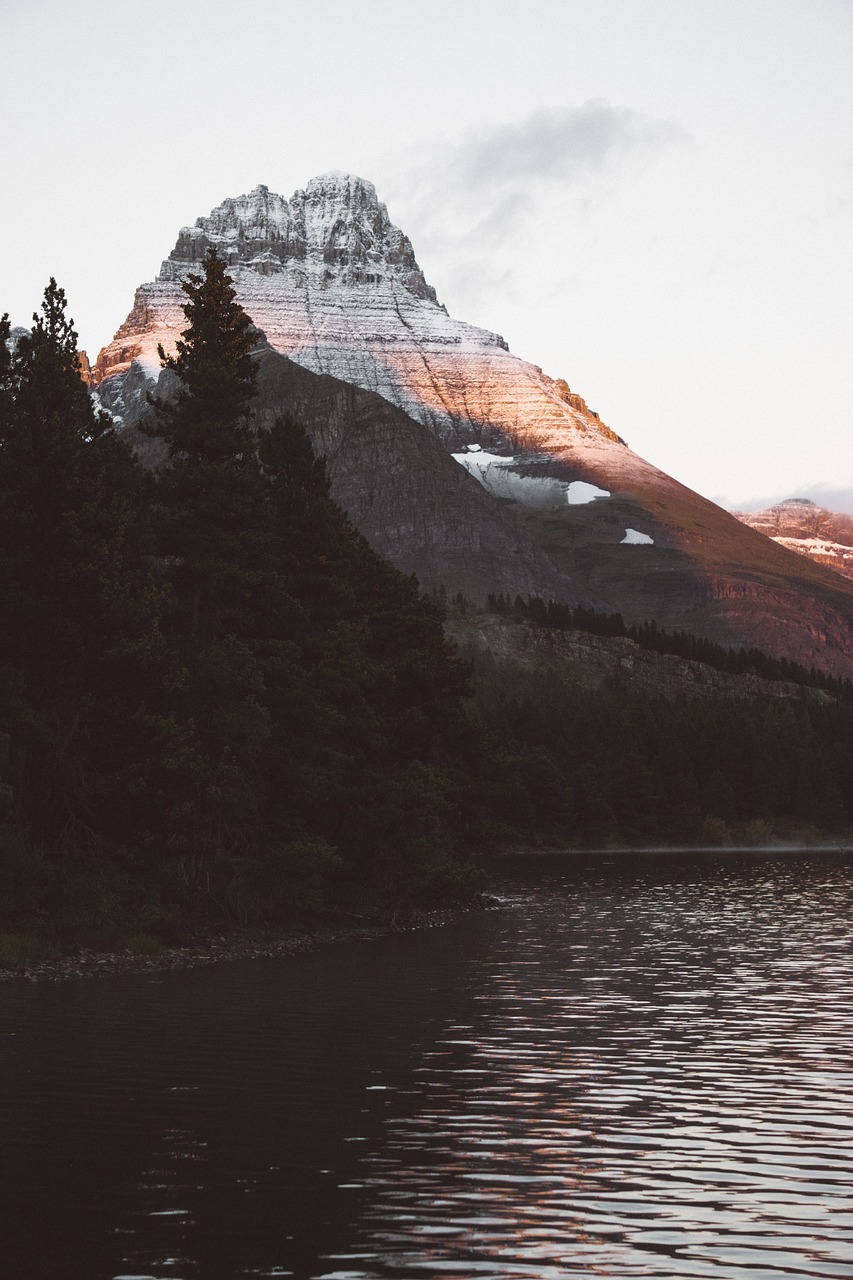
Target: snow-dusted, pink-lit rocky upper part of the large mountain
x=335 y=286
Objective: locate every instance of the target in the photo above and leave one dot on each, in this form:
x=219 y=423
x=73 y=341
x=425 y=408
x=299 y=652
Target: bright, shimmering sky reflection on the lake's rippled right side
x=658 y=1082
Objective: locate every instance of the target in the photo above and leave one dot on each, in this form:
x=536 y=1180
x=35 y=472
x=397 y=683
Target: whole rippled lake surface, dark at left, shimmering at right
x=630 y=1071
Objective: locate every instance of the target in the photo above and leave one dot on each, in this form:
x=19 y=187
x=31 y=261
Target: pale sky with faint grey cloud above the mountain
x=651 y=199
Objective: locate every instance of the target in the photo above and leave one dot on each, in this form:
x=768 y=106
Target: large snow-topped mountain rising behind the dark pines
x=458 y=460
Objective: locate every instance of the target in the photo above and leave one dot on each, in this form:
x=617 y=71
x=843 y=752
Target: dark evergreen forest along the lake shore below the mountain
x=220 y=706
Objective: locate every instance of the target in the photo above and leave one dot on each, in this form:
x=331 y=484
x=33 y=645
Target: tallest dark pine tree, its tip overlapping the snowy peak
x=215 y=546
